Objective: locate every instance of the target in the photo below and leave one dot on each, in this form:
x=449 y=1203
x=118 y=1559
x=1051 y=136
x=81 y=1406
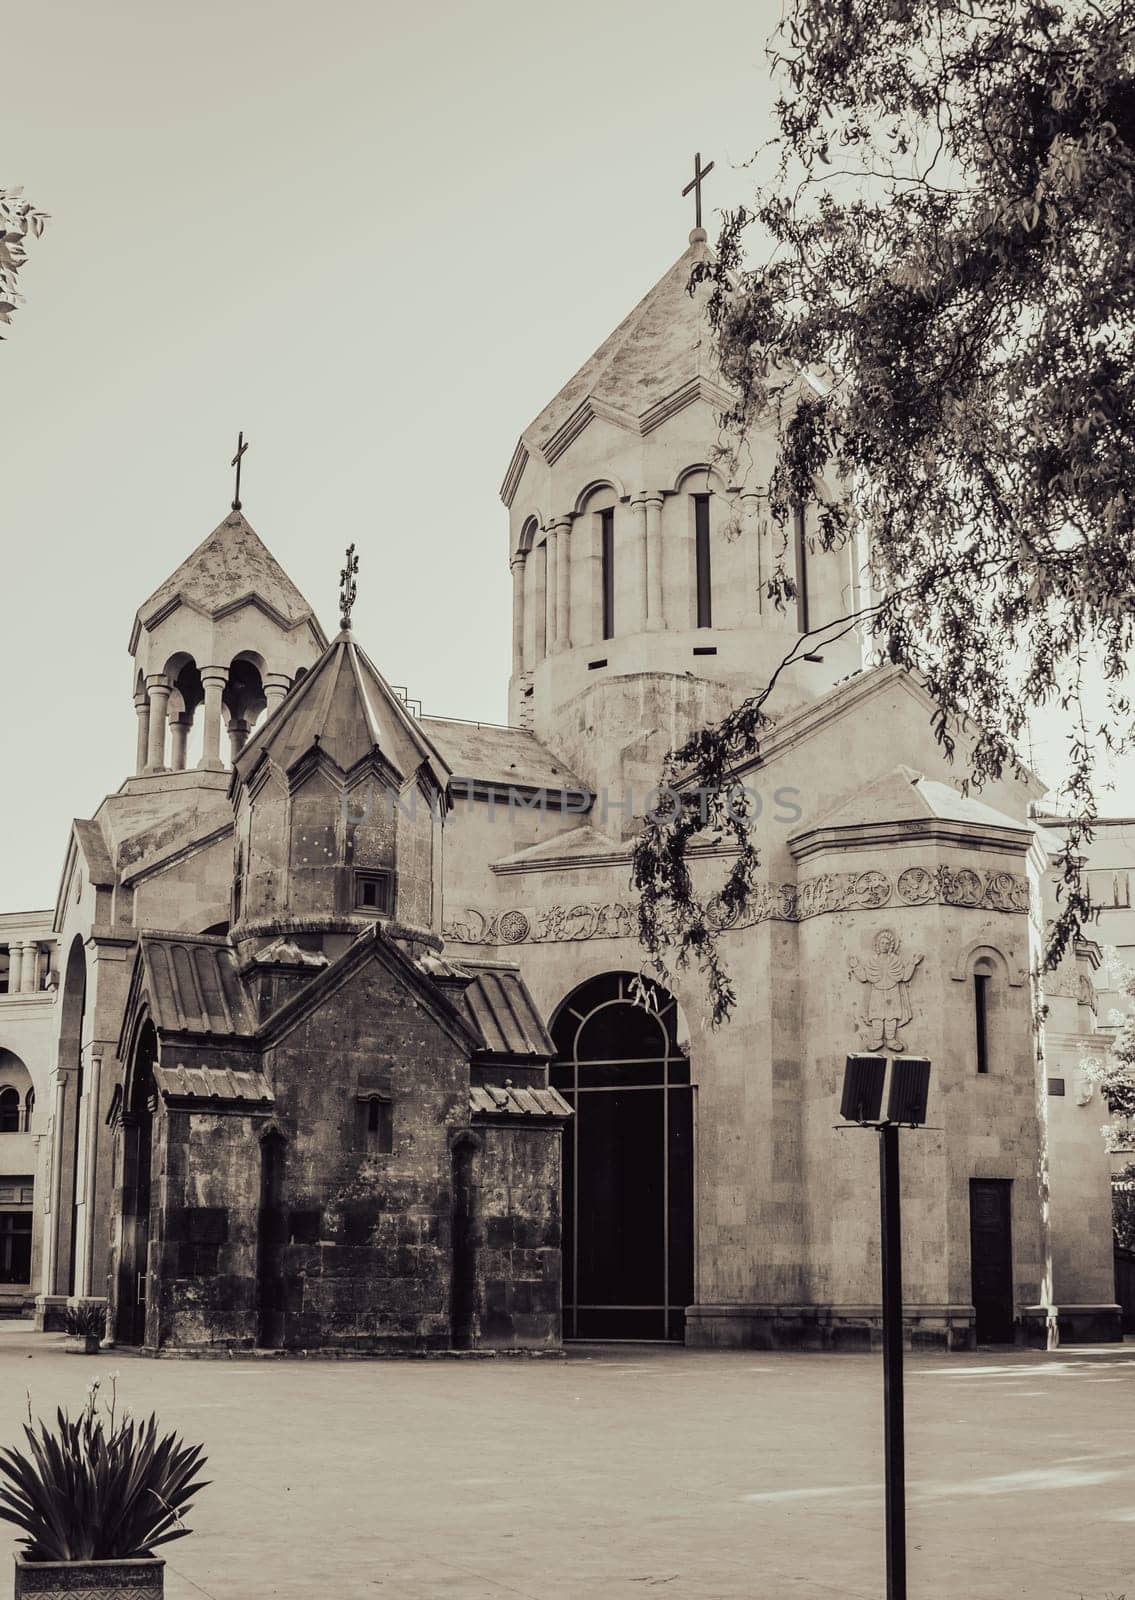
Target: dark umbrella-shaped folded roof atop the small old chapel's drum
x=347 y=710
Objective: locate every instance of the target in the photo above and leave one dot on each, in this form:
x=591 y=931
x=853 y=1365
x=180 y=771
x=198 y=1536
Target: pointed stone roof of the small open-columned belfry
x=233 y=564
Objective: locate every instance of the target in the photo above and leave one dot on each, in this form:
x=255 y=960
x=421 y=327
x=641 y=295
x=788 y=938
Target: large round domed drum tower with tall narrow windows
x=641 y=561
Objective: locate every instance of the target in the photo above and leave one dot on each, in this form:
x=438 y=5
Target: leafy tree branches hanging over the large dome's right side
x=947 y=226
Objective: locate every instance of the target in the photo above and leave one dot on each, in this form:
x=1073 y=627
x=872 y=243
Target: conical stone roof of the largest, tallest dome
x=659 y=351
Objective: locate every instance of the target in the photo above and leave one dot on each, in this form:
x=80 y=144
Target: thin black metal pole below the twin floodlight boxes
x=892 y=1361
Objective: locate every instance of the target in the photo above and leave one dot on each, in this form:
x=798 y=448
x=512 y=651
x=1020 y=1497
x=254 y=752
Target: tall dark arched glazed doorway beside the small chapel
x=628 y=1162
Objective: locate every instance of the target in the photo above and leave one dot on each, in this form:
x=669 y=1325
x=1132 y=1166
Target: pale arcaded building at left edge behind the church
x=28 y=1025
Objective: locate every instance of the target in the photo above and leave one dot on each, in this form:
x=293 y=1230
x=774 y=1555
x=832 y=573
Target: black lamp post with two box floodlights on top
x=907 y=1106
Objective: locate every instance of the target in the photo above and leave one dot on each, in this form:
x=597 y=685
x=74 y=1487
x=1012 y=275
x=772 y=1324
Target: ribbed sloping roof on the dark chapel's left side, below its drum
x=195 y=988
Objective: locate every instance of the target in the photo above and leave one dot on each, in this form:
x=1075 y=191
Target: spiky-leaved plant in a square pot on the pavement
x=95 y=1498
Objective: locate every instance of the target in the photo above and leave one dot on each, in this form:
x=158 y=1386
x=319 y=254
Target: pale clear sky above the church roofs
x=377 y=239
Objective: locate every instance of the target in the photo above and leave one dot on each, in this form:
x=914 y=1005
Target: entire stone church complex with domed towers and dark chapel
x=355 y=1047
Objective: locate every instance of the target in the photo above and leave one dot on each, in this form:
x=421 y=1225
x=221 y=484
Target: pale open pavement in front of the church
x=721 y=1476
